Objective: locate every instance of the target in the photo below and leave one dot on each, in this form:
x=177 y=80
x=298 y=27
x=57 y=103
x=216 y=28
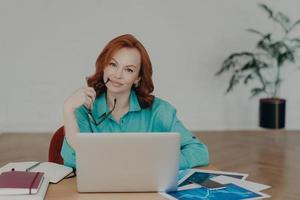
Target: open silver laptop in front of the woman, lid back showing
x=127 y=162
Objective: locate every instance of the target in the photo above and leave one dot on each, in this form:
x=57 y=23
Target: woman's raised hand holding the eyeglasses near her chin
x=83 y=96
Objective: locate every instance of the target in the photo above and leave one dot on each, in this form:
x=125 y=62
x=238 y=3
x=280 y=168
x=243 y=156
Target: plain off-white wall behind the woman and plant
x=48 y=47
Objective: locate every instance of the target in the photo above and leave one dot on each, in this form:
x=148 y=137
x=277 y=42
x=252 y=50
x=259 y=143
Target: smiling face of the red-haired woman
x=123 y=70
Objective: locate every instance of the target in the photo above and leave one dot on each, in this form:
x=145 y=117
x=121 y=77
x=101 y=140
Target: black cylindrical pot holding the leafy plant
x=272 y=113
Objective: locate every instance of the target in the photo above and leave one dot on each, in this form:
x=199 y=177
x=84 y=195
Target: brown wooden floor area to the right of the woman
x=269 y=157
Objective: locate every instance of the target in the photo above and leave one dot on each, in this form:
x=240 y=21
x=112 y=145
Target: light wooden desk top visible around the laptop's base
x=66 y=189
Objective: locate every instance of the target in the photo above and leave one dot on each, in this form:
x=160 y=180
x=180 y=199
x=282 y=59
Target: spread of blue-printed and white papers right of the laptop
x=209 y=184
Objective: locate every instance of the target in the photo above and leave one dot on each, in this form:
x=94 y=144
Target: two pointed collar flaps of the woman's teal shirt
x=101 y=106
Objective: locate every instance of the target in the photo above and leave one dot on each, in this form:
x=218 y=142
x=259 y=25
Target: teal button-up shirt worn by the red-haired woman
x=160 y=117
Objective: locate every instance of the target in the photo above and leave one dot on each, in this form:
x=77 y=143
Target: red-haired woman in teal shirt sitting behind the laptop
x=118 y=99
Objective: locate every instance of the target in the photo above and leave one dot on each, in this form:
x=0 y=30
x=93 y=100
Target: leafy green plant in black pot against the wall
x=263 y=67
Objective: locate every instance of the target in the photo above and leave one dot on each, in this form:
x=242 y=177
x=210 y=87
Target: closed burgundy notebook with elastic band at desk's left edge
x=20 y=182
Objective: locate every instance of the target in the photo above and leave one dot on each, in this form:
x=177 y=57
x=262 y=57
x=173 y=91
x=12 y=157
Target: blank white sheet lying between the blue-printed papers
x=242 y=183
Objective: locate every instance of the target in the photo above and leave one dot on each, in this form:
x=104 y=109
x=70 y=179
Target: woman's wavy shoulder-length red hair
x=145 y=87
